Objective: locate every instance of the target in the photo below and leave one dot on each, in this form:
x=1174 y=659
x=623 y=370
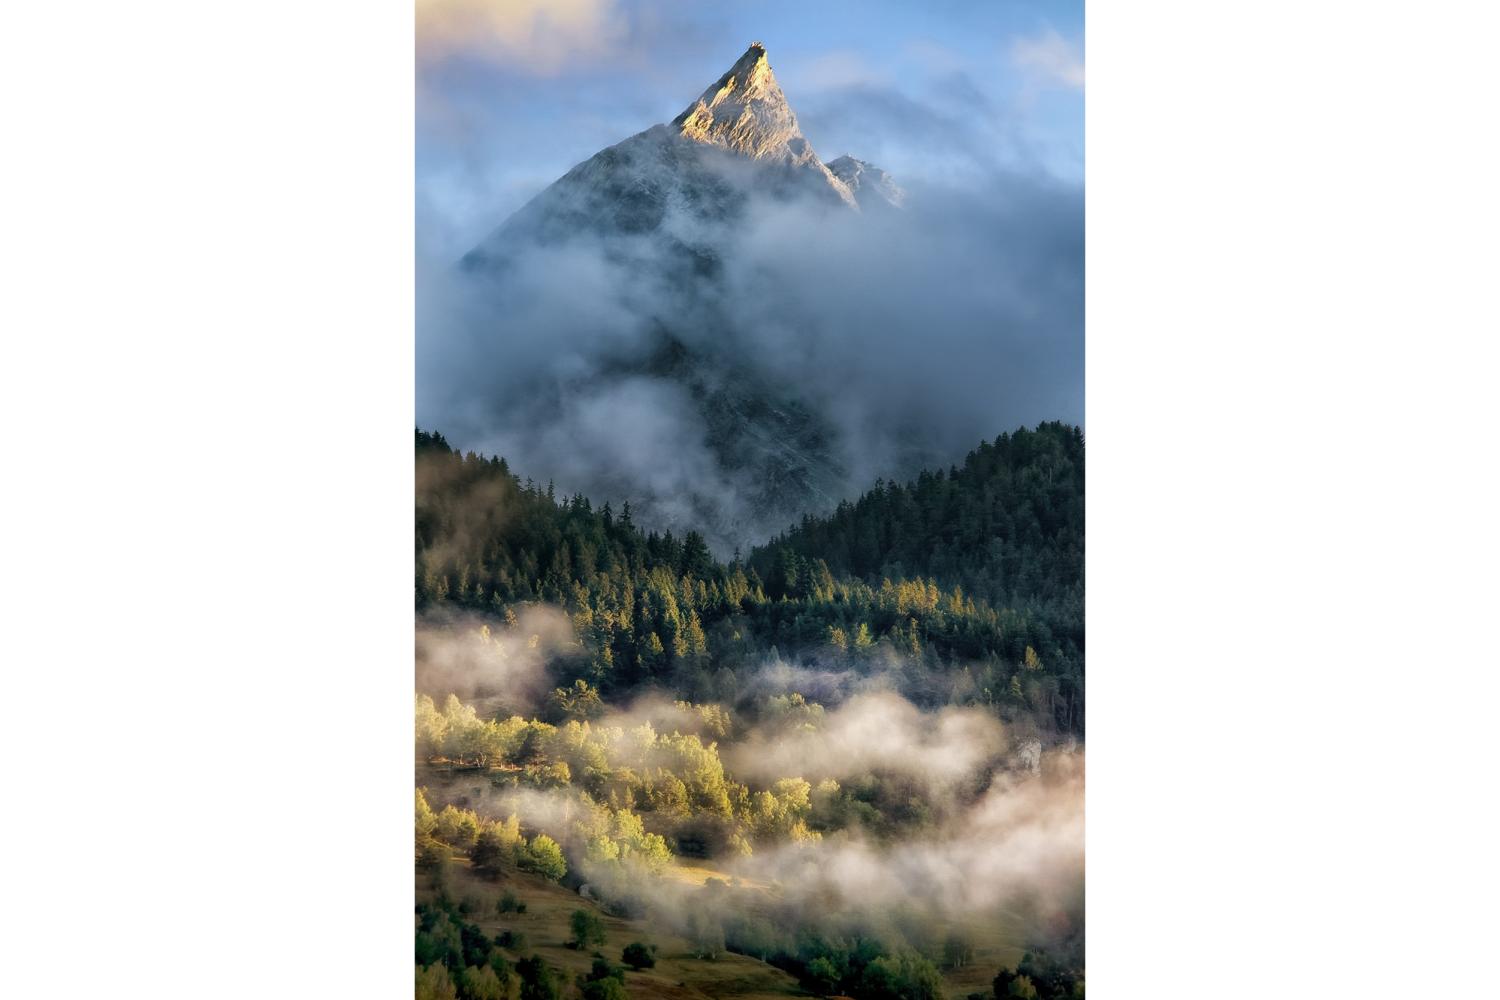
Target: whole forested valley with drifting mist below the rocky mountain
x=865 y=735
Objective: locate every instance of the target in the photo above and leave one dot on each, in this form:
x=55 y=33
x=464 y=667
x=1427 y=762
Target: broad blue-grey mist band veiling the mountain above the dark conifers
x=896 y=340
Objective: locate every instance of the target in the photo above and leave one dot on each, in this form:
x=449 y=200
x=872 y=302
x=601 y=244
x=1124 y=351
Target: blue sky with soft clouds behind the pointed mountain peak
x=512 y=94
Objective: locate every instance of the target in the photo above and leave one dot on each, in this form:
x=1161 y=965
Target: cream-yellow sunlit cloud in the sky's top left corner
x=538 y=37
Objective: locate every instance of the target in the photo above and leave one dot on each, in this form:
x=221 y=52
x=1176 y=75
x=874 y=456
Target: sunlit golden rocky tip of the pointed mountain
x=748 y=113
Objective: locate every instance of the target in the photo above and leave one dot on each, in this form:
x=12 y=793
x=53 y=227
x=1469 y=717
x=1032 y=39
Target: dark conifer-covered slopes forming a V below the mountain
x=973 y=579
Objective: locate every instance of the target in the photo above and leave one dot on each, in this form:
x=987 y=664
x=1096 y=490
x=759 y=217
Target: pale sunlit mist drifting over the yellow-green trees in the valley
x=1004 y=828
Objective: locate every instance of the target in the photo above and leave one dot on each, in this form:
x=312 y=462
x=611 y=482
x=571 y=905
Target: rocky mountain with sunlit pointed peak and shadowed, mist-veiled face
x=667 y=212
